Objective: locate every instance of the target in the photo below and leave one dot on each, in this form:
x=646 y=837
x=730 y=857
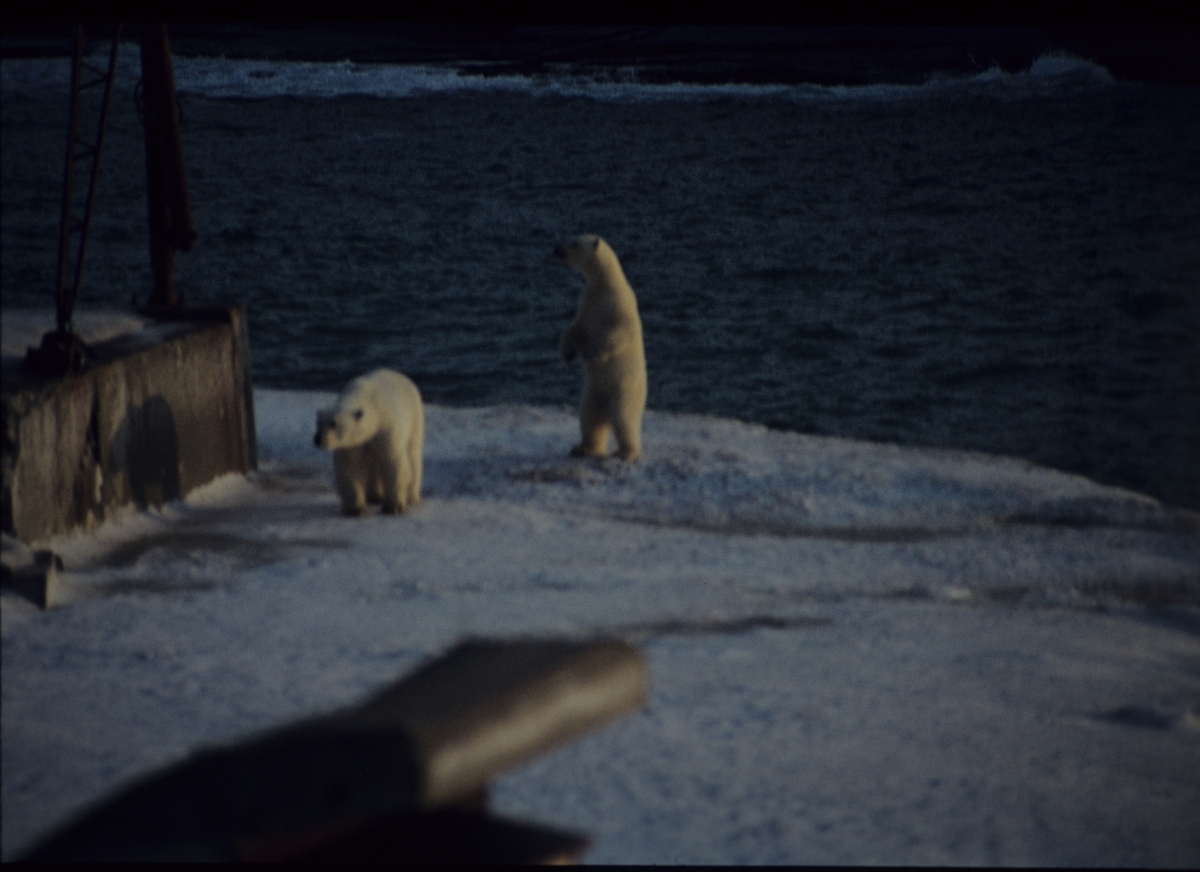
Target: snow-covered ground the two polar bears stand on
x=859 y=653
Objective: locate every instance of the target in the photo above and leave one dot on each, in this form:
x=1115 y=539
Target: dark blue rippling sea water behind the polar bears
x=1007 y=263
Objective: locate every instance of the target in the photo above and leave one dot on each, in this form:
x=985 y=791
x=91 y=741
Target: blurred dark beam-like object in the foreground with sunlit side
x=433 y=739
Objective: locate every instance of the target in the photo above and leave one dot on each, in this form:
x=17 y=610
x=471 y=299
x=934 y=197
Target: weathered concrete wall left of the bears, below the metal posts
x=161 y=412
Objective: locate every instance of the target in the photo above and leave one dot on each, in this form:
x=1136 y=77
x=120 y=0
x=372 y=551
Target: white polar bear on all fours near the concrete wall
x=377 y=436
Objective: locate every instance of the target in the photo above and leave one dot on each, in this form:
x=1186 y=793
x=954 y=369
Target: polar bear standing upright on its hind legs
x=608 y=335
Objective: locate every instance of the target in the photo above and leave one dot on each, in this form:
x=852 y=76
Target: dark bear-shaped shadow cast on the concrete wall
x=146 y=448
